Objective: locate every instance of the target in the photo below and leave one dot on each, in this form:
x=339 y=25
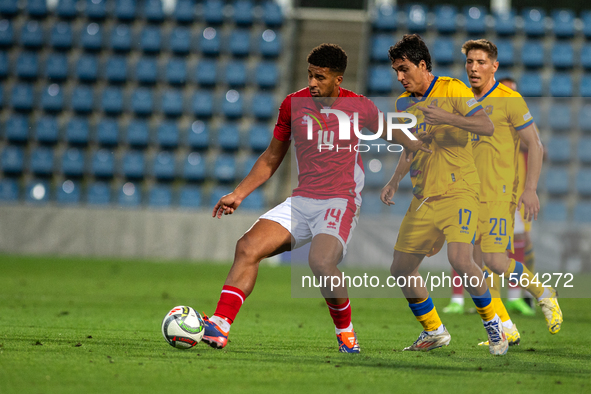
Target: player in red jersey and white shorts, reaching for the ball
x=324 y=207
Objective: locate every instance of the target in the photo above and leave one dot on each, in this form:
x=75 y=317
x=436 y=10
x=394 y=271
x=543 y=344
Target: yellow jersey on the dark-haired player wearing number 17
x=451 y=161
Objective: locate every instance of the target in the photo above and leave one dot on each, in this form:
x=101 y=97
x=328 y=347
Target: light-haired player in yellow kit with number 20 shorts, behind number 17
x=496 y=161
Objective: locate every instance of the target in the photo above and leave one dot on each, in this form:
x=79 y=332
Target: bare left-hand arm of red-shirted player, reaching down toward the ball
x=263 y=169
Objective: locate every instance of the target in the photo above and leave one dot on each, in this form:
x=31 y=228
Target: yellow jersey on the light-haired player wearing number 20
x=496 y=156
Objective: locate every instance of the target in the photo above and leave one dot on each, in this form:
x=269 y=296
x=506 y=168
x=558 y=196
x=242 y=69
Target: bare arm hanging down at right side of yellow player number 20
x=535 y=154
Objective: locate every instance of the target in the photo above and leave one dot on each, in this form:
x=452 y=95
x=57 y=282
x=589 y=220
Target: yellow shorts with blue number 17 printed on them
x=452 y=217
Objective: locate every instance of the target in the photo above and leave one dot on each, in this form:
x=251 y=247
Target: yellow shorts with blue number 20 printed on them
x=495 y=226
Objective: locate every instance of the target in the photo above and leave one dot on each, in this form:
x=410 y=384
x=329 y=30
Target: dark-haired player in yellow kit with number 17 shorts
x=445 y=186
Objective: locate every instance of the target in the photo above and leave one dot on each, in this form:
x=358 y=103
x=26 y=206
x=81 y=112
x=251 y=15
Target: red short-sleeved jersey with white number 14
x=325 y=172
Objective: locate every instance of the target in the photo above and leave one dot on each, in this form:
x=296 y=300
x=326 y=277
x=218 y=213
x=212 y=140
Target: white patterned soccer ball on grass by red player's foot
x=182 y=327
